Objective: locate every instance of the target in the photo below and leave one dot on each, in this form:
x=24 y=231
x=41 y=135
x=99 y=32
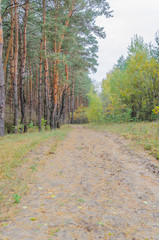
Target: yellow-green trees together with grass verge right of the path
x=129 y=100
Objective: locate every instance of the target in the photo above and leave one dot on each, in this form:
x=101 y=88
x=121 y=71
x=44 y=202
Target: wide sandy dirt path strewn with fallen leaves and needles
x=94 y=186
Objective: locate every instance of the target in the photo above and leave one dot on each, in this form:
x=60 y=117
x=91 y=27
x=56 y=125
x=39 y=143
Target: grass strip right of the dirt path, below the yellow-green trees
x=144 y=134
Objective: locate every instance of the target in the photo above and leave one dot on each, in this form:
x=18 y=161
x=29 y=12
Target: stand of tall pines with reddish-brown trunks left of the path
x=49 y=49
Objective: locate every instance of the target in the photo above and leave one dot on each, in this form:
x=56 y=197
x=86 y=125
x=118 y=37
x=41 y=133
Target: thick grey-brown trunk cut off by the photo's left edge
x=2 y=84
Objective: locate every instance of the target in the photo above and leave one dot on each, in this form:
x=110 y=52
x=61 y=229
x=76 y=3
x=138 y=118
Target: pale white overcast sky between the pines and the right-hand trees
x=130 y=17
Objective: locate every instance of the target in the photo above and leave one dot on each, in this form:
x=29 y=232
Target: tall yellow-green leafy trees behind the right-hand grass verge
x=131 y=90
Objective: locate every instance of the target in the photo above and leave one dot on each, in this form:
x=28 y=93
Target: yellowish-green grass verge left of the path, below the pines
x=13 y=149
